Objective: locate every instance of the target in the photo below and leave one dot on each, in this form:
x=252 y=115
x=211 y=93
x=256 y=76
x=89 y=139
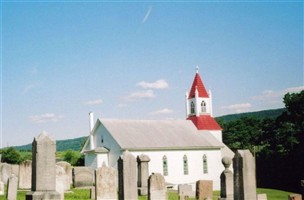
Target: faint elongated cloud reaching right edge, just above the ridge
x=276 y=96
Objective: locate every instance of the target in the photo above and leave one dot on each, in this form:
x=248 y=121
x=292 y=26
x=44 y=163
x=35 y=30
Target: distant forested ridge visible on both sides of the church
x=76 y=143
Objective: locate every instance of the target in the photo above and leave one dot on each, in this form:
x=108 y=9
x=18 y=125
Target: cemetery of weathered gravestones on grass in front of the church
x=43 y=178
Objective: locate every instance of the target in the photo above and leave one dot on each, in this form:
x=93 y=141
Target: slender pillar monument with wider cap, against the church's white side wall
x=143 y=173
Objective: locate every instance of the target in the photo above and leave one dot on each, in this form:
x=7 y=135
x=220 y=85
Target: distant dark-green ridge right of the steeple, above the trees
x=274 y=113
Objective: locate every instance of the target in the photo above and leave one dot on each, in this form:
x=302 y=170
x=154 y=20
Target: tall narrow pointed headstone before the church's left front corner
x=127 y=176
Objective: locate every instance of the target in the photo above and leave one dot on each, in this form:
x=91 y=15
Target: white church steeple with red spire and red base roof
x=199 y=106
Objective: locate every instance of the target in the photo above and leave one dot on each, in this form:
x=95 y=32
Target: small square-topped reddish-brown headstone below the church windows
x=204 y=189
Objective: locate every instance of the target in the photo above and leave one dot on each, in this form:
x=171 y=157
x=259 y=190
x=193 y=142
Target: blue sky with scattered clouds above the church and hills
x=137 y=59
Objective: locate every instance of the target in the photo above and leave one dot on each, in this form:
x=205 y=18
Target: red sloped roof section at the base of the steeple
x=205 y=122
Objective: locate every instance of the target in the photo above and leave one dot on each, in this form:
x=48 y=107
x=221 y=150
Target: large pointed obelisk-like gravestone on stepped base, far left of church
x=43 y=169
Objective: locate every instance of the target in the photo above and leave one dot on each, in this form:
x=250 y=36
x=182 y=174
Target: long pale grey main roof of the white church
x=159 y=134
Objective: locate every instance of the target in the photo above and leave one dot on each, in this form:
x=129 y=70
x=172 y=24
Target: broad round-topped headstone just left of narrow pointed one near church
x=105 y=183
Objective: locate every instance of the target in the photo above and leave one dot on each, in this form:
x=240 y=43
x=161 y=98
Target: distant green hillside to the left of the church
x=61 y=145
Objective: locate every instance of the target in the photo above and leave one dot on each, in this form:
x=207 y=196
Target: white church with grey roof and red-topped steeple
x=183 y=151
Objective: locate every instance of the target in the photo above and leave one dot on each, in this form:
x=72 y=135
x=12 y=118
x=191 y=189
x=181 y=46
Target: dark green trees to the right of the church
x=278 y=144
